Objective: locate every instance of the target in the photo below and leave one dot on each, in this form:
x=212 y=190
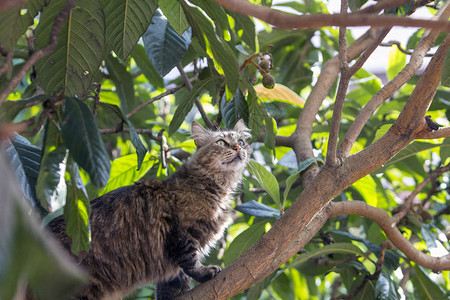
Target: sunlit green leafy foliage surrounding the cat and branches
x=98 y=112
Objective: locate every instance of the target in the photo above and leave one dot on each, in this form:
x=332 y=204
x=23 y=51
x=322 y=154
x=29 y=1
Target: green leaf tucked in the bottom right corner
x=424 y=286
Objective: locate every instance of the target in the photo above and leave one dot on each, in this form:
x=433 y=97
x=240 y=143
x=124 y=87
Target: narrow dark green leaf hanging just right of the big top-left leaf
x=123 y=82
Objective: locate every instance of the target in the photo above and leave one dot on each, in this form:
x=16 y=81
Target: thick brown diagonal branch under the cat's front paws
x=282 y=242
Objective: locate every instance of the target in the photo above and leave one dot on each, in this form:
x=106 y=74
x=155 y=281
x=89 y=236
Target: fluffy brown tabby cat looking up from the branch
x=159 y=230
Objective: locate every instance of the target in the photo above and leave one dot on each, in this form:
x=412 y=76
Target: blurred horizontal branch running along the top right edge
x=288 y=21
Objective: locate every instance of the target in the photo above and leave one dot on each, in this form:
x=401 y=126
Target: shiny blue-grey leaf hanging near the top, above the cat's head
x=163 y=46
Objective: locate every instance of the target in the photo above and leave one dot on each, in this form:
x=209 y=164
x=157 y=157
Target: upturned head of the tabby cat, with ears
x=222 y=150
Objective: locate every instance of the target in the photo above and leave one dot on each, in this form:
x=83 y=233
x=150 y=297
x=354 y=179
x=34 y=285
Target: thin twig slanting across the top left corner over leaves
x=37 y=55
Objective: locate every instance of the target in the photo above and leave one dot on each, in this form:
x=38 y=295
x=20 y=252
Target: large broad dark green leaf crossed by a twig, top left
x=71 y=67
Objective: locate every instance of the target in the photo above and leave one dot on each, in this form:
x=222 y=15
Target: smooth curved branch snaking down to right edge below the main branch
x=388 y=225
